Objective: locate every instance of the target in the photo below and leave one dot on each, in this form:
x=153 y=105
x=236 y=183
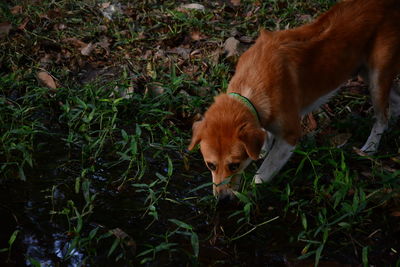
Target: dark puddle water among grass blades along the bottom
x=45 y=237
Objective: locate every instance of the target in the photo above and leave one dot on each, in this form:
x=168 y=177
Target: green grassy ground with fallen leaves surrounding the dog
x=105 y=151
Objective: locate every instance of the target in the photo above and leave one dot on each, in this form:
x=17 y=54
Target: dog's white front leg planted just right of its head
x=276 y=158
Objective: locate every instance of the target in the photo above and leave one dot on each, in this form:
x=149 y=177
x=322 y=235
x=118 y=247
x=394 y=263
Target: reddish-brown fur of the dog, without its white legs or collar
x=284 y=72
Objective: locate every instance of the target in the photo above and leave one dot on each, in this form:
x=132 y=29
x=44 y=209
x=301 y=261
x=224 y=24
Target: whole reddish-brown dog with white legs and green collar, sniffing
x=286 y=74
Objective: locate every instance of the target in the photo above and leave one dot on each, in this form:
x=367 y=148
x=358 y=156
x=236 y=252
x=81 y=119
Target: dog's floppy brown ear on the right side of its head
x=253 y=138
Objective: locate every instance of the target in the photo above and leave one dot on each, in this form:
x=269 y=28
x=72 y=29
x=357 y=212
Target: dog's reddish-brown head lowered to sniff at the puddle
x=230 y=137
